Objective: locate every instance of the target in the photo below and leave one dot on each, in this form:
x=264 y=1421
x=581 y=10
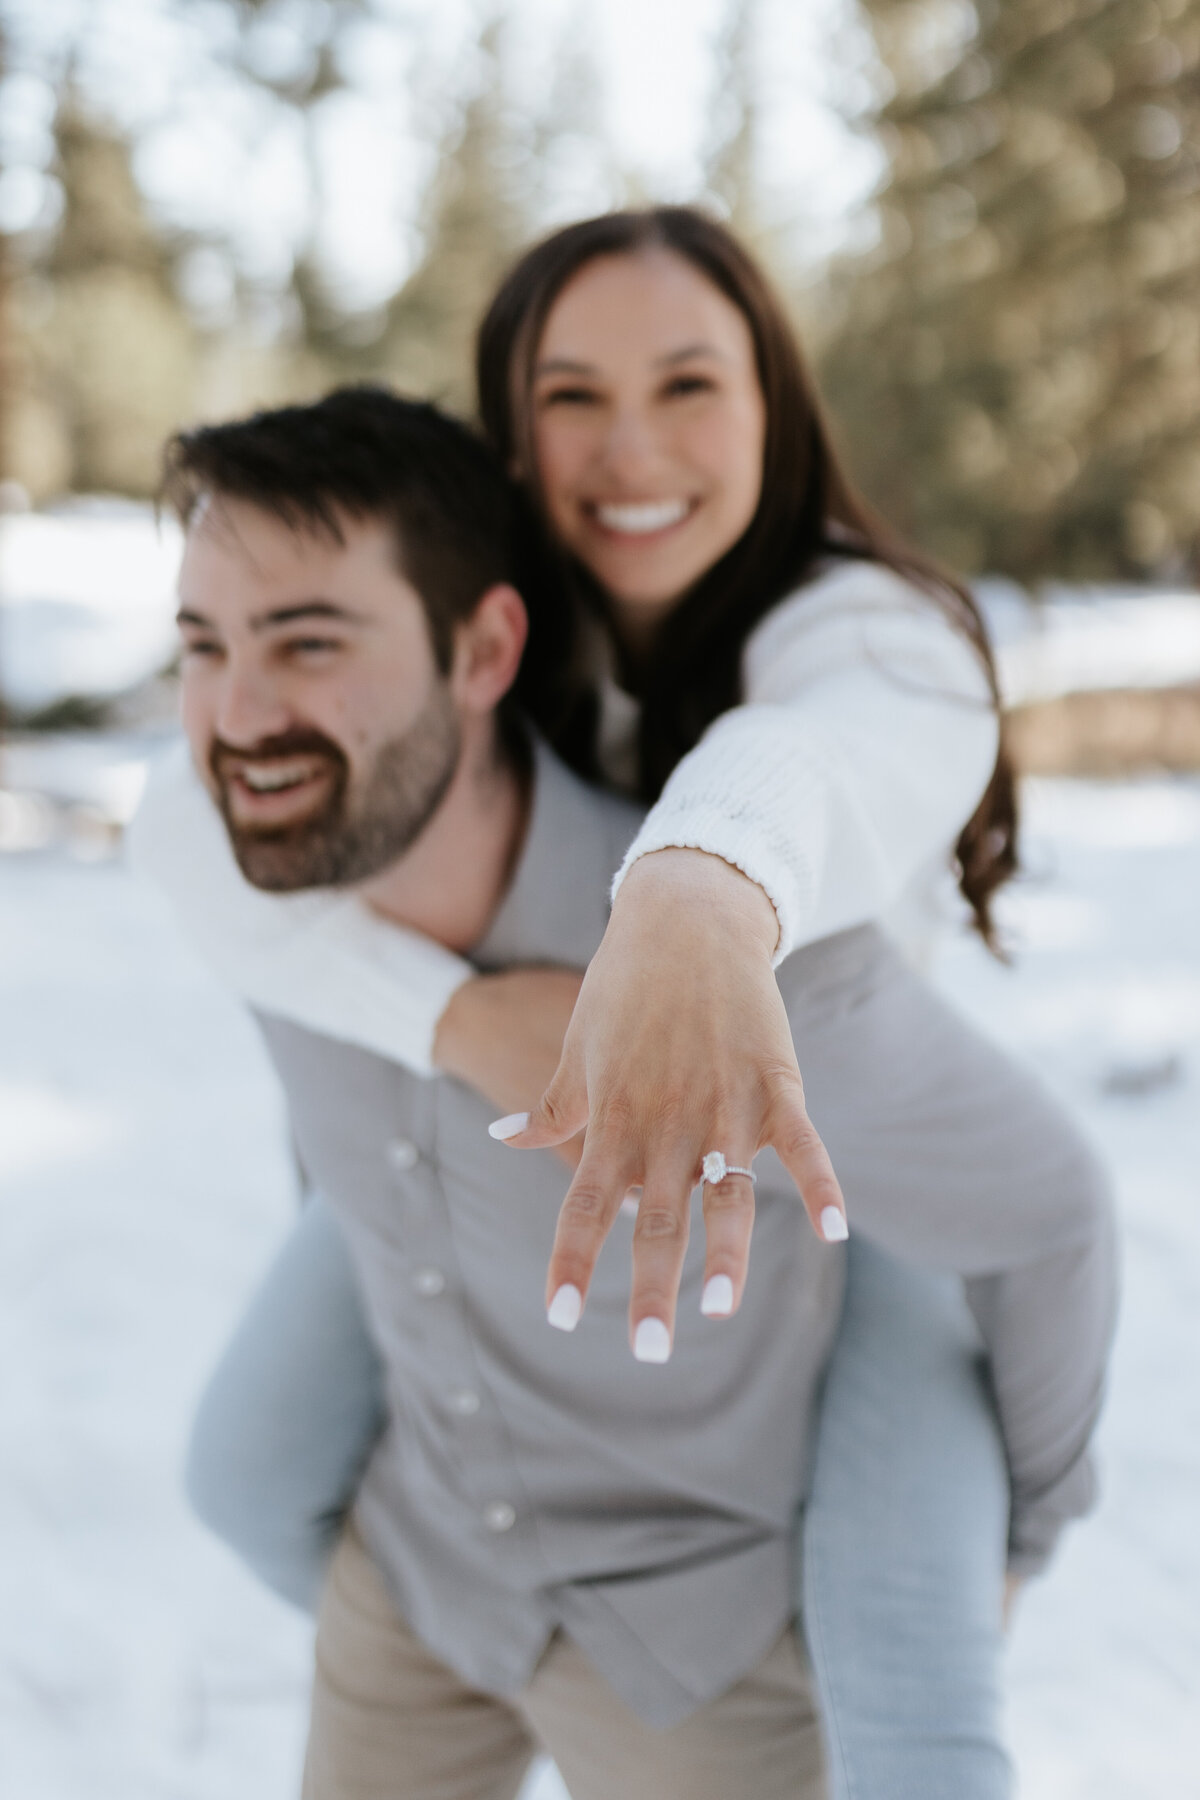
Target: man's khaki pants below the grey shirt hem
x=395 y=1723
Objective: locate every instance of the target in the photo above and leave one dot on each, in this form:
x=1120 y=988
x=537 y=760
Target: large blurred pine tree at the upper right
x=1019 y=361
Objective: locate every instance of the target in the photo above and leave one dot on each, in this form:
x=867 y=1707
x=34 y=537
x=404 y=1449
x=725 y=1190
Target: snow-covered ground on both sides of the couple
x=145 y=1183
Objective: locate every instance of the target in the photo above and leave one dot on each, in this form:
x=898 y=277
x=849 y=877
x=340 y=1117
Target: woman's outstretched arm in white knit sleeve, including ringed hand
x=864 y=744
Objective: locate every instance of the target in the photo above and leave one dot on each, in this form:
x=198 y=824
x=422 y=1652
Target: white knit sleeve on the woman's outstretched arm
x=864 y=744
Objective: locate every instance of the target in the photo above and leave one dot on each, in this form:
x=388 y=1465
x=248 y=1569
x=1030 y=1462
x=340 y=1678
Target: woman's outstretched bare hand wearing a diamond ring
x=679 y=1047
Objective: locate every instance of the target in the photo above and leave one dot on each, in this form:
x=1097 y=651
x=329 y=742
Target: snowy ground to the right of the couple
x=1106 y=1666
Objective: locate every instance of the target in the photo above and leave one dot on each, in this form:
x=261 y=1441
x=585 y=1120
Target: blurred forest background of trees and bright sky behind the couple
x=1007 y=321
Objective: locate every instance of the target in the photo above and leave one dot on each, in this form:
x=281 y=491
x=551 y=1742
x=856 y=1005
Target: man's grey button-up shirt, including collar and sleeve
x=530 y=1479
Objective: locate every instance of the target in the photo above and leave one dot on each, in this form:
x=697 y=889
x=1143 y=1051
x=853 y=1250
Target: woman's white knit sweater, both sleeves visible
x=839 y=786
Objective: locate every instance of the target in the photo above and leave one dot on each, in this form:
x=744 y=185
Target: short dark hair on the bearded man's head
x=370 y=454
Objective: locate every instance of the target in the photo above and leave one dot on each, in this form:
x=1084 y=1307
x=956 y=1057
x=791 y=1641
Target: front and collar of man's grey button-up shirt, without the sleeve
x=530 y=1479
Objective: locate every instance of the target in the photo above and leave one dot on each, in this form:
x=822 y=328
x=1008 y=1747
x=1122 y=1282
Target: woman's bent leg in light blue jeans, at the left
x=291 y=1416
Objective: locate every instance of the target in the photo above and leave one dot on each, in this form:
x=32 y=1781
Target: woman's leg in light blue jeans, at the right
x=904 y=1545
